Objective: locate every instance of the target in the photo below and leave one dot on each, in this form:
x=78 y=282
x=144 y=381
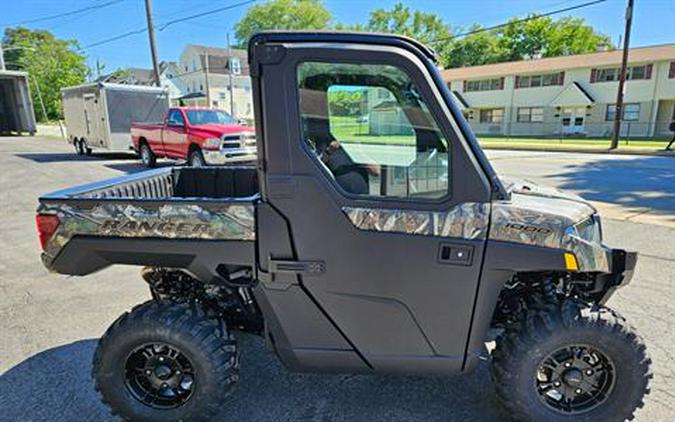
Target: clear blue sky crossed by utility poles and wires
x=653 y=21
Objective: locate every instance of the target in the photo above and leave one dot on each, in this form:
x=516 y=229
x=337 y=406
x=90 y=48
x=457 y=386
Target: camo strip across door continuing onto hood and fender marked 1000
x=547 y=221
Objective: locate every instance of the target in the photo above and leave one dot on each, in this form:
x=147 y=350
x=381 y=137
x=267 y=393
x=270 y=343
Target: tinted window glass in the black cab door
x=369 y=126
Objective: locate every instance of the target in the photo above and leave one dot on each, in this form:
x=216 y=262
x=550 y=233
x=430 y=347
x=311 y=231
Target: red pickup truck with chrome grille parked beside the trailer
x=201 y=136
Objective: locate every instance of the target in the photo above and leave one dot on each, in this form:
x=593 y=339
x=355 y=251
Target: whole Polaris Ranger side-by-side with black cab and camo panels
x=372 y=237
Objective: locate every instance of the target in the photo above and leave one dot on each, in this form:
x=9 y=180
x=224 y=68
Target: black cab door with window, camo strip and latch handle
x=387 y=208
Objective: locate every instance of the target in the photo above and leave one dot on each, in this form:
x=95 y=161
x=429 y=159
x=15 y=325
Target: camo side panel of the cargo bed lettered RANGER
x=229 y=221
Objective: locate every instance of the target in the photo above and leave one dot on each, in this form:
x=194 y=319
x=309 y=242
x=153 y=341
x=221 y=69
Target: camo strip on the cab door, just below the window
x=466 y=221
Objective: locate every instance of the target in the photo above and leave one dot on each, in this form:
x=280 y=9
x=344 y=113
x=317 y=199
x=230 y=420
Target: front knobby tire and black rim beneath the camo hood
x=568 y=362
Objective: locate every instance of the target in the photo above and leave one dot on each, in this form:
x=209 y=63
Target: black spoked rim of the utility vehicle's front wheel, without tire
x=575 y=379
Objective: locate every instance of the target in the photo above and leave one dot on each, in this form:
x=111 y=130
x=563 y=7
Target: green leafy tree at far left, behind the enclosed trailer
x=51 y=63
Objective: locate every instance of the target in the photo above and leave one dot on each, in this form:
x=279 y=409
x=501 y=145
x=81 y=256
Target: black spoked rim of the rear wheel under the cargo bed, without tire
x=160 y=376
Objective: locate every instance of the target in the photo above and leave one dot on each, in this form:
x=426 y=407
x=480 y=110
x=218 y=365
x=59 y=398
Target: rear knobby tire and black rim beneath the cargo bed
x=166 y=362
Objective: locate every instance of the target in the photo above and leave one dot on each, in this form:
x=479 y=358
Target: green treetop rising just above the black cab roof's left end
x=282 y=14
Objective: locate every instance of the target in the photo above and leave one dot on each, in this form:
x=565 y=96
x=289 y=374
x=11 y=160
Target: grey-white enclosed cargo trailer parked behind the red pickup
x=99 y=115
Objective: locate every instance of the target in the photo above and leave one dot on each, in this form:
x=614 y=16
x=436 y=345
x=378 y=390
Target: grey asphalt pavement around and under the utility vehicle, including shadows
x=50 y=323
